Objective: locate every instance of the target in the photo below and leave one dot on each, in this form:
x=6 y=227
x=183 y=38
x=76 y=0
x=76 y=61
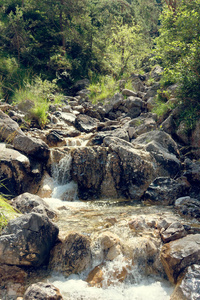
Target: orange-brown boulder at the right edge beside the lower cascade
x=177 y=255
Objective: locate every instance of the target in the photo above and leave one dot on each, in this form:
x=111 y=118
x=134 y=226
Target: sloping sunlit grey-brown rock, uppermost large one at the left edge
x=9 y=129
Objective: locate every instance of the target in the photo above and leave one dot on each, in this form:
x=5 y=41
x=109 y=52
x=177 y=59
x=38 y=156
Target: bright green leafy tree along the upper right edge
x=178 y=48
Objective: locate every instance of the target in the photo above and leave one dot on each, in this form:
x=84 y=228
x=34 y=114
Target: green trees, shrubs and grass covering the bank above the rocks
x=46 y=46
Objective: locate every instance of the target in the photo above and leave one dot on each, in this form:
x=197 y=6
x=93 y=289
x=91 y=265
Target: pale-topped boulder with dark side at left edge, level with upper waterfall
x=15 y=172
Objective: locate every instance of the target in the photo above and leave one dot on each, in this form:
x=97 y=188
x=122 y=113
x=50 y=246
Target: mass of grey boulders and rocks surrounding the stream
x=118 y=150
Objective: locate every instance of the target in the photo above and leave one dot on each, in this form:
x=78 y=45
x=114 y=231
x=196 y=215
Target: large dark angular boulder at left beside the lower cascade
x=27 y=240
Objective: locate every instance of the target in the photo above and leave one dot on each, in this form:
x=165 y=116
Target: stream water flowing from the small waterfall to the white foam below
x=92 y=218
